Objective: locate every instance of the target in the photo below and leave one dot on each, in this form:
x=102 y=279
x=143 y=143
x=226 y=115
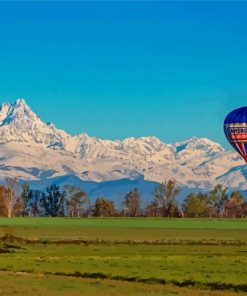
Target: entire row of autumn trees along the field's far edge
x=71 y=201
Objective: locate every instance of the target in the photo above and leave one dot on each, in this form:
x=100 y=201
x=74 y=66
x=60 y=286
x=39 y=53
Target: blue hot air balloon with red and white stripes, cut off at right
x=235 y=128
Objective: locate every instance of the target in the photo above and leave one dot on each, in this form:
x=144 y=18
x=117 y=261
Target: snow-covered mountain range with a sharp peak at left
x=39 y=152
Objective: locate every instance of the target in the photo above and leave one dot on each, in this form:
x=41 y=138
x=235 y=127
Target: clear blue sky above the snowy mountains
x=114 y=70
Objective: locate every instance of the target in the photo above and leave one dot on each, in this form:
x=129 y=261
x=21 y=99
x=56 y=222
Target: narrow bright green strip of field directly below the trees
x=166 y=223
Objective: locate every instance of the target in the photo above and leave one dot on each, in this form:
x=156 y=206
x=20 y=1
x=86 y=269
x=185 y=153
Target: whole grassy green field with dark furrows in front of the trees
x=63 y=256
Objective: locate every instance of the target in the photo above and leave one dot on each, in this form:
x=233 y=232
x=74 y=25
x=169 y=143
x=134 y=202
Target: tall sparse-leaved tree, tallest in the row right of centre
x=166 y=196
